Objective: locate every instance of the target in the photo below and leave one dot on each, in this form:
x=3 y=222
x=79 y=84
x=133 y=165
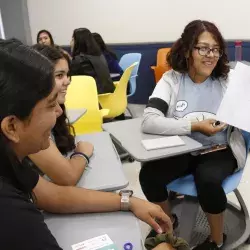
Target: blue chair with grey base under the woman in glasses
x=193 y=225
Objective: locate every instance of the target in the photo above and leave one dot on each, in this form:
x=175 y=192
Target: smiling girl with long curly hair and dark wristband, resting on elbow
x=53 y=162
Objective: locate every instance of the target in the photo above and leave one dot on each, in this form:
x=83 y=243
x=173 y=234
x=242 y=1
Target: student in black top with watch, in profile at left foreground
x=28 y=112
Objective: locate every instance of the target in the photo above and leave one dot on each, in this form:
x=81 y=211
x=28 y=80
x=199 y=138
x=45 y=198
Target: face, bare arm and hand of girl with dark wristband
x=59 y=169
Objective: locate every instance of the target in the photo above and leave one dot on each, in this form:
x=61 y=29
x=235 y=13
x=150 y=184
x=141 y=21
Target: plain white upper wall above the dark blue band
x=125 y=21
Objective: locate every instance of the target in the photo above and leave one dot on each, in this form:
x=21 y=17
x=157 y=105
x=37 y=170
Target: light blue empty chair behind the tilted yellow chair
x=125 y=62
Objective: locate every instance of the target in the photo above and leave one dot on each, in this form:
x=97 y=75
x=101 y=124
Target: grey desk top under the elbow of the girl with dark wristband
x=105 y=170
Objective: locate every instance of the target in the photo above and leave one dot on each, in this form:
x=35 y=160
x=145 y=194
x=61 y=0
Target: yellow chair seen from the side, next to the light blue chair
x=117 y=102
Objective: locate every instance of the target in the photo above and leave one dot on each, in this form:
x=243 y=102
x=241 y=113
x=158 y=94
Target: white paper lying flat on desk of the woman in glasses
x=163 y=142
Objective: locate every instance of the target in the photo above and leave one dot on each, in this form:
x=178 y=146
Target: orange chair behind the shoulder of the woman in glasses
x=161 y=63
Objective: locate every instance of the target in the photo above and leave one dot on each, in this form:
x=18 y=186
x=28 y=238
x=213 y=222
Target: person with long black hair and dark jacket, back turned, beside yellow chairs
x=88 y=60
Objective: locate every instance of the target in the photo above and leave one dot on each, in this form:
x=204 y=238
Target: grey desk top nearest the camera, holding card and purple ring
x=122 y=227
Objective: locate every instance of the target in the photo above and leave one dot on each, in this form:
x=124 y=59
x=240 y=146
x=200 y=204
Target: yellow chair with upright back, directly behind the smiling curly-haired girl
x=82 y=93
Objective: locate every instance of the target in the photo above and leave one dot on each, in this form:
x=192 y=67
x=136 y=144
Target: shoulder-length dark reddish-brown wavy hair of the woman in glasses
x=188 y=40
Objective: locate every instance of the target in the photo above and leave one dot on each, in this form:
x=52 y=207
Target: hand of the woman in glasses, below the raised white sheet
x=207 y=127
